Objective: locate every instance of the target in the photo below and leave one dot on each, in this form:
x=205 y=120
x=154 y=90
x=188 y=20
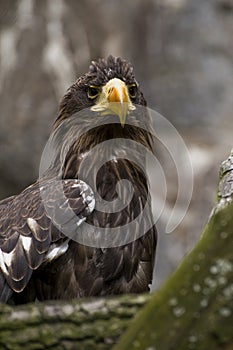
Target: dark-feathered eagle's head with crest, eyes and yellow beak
x=108 y=88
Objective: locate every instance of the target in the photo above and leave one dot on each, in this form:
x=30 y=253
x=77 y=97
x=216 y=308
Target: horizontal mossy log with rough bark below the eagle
x=87 y=324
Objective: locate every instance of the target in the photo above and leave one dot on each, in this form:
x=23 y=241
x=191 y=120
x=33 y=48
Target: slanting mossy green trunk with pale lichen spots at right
x=194 y=308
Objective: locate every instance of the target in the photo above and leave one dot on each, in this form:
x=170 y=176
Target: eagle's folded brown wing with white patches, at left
x=28 y=236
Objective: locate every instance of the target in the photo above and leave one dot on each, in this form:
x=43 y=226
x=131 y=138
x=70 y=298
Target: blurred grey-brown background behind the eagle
x=182 y=51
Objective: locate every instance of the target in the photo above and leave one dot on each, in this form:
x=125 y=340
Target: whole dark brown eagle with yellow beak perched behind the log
x=39 y=260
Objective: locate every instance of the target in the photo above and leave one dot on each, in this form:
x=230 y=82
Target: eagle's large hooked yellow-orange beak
x=115 y=99
